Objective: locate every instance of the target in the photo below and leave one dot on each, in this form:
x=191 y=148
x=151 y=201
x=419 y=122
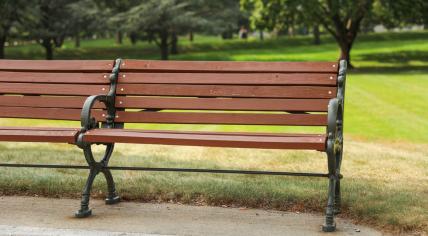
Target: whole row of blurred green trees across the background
x=50 y=22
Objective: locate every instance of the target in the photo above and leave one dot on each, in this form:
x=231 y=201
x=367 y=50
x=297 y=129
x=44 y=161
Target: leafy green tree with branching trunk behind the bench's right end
x=341 y=18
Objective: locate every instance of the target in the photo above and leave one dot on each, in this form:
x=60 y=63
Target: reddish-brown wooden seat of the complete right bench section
x=211 y=140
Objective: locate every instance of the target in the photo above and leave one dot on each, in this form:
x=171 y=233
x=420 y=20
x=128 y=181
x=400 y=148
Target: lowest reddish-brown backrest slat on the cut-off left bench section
x=45 y=113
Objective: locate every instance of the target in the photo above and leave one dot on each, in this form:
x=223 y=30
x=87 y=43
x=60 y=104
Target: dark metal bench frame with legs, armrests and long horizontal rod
x=334 y=150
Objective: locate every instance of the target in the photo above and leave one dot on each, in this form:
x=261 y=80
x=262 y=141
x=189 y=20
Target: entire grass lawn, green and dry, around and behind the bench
x=385 y=166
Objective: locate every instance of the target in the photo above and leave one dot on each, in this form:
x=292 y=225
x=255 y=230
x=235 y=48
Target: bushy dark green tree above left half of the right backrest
x=160 y=20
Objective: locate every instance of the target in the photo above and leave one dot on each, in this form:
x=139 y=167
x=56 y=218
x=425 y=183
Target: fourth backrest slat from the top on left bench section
x=45 y=101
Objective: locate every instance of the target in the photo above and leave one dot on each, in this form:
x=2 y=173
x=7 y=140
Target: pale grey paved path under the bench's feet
x=49 y=216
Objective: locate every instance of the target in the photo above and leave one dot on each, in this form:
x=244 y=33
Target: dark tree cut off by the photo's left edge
x=11 y=12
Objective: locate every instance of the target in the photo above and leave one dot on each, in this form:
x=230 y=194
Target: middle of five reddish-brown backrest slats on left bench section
x=53 y=89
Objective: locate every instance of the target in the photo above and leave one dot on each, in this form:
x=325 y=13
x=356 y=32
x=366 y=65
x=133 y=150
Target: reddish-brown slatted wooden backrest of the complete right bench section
x=277 y=93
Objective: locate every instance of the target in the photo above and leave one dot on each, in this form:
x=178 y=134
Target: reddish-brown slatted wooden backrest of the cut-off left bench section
x=51 y=89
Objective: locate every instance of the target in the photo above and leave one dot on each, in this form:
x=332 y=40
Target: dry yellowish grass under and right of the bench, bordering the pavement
x=384 y=184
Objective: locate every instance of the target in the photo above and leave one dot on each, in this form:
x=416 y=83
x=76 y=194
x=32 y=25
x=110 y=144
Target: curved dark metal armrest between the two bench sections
x=86 y=120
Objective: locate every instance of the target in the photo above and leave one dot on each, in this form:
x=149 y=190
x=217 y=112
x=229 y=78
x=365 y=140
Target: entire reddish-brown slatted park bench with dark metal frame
x=178 y=92
